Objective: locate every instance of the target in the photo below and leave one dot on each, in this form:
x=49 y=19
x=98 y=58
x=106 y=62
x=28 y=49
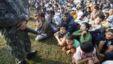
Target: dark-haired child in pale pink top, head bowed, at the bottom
x=85 y=54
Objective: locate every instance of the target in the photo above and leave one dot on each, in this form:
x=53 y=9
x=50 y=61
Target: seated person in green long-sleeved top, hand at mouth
x=83 y=34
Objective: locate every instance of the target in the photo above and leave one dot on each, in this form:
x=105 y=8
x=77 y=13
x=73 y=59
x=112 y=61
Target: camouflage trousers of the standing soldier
x=18 y=42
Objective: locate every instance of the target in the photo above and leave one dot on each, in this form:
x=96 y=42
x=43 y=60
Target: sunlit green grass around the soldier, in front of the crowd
x=48 y=51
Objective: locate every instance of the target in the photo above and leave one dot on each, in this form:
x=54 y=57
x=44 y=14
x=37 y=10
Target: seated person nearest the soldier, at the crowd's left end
x=41 y=27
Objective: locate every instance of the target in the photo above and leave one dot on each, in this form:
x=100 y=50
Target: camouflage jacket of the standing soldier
x=13 y=12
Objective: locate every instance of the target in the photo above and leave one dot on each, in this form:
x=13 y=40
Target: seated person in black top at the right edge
x=106 y=45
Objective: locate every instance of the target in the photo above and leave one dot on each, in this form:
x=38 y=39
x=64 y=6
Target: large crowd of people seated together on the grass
x=83 y=28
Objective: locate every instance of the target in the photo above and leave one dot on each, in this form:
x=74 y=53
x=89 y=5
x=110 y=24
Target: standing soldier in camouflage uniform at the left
x=13 y=16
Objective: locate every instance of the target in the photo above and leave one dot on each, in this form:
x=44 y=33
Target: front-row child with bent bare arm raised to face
x=61 y=35
